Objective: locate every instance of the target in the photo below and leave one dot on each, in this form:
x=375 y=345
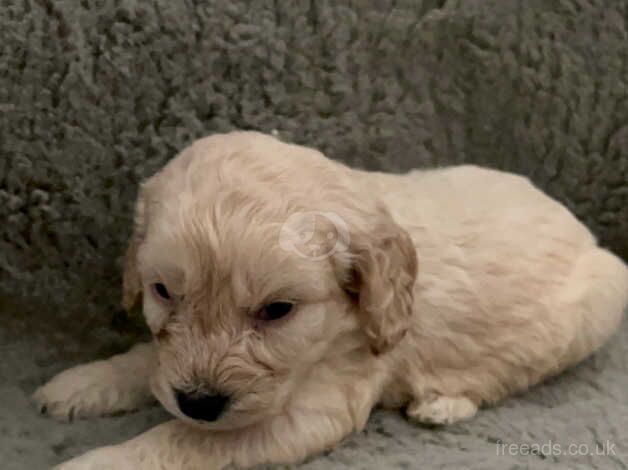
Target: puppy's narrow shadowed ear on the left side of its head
x=131 y=281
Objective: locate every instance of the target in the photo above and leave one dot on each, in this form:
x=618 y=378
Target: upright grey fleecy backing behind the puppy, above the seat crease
x=94 y=96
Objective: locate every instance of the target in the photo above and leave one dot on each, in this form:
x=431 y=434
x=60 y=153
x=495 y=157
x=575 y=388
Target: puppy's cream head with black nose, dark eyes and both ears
x=259 y=263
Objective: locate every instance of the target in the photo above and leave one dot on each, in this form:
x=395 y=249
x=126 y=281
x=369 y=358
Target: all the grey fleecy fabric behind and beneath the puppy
x=96 y=95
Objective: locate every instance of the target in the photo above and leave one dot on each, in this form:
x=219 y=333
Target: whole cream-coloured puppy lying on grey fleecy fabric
x=288 y=295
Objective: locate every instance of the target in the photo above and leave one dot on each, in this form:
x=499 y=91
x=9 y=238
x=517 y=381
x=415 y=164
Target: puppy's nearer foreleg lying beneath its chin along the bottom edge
x=288 y=438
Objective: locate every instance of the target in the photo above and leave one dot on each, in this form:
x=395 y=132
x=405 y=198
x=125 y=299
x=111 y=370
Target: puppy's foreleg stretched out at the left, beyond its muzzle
x=120 y=383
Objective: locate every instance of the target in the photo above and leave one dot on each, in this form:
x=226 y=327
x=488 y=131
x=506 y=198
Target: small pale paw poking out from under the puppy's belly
x=442 y=410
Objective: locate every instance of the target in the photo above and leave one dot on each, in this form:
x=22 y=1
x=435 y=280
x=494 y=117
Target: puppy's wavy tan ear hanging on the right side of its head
x=382 y=271
